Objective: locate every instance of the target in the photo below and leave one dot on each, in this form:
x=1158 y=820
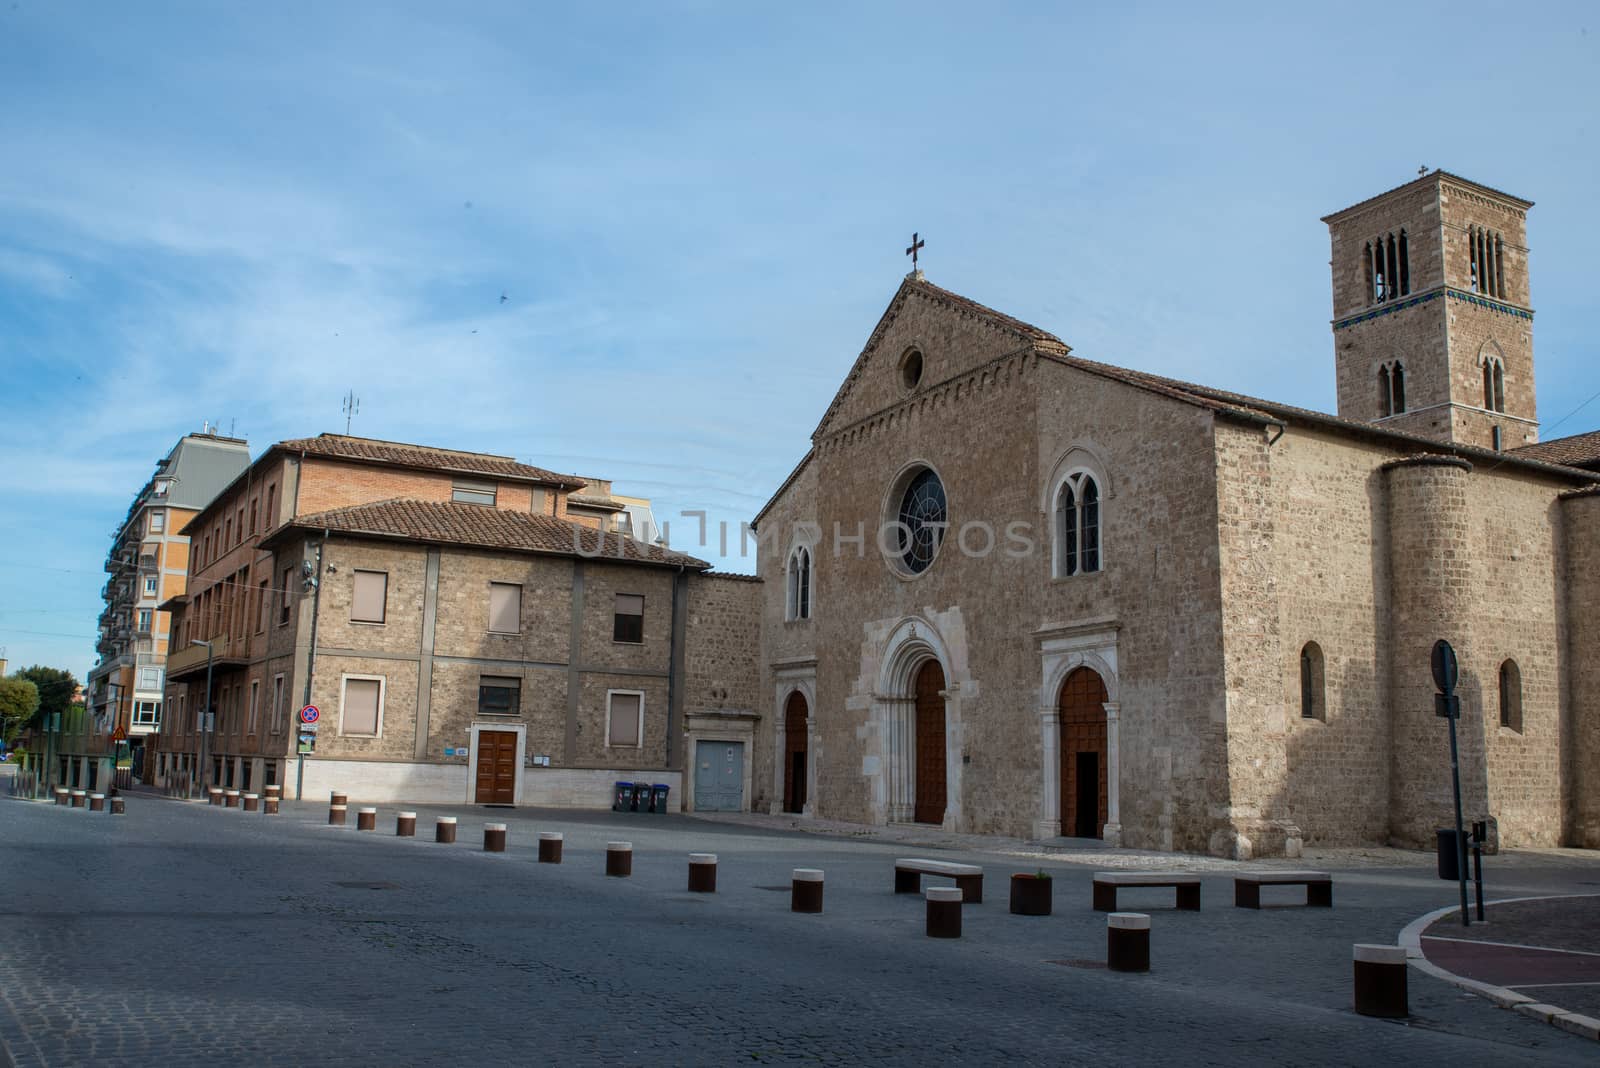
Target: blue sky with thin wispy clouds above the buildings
x=697 y=213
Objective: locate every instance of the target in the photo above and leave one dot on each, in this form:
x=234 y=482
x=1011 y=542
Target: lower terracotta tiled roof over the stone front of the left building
x=449 y=524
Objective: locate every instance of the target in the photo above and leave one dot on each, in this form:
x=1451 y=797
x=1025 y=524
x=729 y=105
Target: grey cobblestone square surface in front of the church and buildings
x=182 y=934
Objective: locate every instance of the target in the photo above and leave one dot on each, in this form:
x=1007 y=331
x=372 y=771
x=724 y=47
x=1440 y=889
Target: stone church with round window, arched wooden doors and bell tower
x=1010 y=591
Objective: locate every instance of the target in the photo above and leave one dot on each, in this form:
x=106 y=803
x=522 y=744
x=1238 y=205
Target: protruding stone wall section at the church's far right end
x=1582 y=536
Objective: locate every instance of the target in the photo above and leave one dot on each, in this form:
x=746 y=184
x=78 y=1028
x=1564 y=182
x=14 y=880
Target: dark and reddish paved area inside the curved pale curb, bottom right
x=1529 y=949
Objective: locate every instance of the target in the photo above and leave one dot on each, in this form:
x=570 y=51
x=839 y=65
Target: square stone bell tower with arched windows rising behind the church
x=1433 y=329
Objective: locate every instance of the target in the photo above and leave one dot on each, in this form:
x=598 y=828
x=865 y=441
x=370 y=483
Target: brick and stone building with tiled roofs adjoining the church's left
x=468 y=631
